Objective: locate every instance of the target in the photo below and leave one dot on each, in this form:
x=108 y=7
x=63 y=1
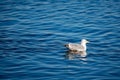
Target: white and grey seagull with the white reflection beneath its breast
x=78 y=47
